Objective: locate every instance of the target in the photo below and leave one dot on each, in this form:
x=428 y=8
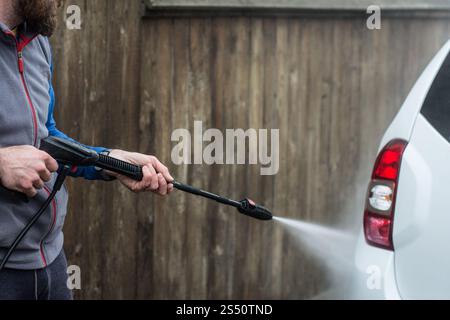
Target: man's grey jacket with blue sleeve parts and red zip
x=26 y=117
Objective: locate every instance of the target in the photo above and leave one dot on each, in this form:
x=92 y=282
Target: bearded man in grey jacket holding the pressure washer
x=37 y=269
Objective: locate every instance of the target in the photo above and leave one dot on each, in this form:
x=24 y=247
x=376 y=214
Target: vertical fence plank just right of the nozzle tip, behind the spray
x=294 y=281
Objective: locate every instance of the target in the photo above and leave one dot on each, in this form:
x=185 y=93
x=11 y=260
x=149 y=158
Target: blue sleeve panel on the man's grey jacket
x=88 y=173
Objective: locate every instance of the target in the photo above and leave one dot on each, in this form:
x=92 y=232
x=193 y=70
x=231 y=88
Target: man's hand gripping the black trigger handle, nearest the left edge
x=25 y=169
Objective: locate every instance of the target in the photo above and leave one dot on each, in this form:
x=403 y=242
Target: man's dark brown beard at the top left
x=40 y=15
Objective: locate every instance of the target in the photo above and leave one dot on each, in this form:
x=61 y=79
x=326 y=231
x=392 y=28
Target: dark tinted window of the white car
x=436 y=108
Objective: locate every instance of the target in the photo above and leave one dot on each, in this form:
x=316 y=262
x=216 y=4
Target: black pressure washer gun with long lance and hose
x=70 y=154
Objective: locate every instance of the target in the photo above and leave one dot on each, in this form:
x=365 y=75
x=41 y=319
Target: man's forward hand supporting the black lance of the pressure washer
x=156 y=176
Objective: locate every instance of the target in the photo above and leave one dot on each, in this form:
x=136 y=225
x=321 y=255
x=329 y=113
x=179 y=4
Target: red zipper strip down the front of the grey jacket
x=19 y=47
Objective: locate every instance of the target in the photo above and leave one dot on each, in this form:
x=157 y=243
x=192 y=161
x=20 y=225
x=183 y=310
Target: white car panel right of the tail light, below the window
x=422 y=220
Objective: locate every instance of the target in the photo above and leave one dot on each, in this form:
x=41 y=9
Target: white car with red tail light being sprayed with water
x=403 y=251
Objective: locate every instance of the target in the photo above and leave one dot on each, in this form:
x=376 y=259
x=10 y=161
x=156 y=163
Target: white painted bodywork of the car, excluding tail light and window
x=420 y=265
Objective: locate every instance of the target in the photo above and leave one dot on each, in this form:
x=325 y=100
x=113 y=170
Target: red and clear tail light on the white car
x=380 y=204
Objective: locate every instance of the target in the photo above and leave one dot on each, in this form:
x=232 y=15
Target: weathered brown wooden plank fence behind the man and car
x=330 y=85
